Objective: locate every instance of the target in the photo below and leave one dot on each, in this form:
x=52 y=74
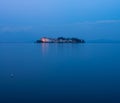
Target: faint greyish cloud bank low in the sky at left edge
x=15 y=29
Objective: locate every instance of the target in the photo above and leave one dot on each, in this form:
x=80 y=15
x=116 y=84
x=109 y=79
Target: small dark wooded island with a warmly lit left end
x=60 y=40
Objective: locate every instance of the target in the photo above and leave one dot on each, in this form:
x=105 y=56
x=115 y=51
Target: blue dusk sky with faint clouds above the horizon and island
x=28 y=20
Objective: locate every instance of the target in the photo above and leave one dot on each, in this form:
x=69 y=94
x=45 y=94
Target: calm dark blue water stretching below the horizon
x=59 y=73
